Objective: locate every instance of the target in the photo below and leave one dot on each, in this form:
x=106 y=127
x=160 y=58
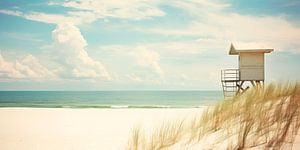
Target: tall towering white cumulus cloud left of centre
x=70 y=44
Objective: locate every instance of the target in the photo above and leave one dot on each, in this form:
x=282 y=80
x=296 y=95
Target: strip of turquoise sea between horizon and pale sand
x=109 y=99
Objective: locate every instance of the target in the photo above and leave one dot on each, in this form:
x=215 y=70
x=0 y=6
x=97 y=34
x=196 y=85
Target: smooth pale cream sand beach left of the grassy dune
x=77 y=129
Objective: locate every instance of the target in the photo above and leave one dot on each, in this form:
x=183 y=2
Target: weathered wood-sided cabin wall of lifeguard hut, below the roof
x=251 y=66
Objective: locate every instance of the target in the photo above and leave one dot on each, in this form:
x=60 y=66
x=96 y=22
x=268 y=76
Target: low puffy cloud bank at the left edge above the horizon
x=28 y=67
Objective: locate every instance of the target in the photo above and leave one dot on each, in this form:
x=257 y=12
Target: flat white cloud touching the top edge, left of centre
x=130 y=9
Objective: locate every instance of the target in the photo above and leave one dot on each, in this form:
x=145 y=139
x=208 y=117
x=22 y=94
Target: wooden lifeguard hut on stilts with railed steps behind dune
x=251 y=69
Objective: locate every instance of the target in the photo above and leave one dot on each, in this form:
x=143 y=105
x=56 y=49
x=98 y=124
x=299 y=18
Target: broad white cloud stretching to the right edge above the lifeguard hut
x=218 y=26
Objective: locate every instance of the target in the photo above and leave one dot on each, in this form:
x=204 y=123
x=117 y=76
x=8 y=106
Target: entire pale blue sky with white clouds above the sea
x=141 y=44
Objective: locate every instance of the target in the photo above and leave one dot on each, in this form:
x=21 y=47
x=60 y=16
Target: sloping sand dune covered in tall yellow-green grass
x=263 y=117
